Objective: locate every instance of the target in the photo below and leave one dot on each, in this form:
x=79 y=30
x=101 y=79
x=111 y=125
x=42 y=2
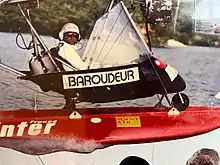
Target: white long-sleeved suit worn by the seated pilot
x=69 y=53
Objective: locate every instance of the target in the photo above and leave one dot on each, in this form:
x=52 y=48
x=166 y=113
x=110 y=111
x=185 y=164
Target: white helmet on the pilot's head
x=69 y=27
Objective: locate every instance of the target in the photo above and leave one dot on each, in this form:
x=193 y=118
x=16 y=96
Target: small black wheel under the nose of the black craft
x=180 y=101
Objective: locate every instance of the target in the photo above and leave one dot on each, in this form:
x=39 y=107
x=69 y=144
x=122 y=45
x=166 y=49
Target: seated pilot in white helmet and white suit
x=69 y=36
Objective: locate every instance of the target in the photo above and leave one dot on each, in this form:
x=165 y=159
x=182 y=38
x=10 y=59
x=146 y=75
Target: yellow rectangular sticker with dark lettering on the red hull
x=128 y=121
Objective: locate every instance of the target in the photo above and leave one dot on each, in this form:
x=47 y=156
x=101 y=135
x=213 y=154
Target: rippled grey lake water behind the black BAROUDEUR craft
x=197 y=65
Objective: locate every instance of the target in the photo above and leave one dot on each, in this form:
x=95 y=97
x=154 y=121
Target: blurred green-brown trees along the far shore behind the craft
x=52 y=14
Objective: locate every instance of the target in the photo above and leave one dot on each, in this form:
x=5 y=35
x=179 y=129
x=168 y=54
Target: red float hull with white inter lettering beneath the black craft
x=48 y=131
